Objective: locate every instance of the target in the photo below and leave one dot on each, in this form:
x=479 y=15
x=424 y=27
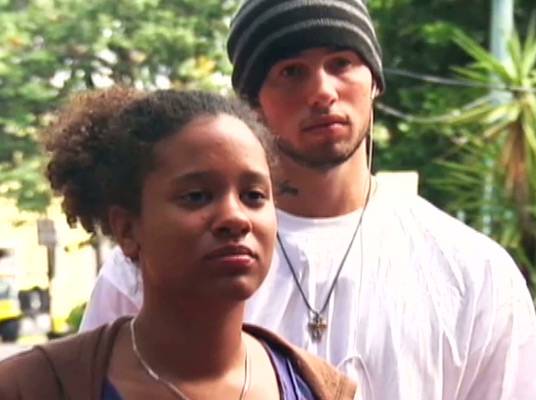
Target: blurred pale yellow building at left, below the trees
x=74 y=258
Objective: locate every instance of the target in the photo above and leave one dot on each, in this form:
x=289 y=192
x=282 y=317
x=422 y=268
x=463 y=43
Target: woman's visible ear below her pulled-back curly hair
x=123 y=226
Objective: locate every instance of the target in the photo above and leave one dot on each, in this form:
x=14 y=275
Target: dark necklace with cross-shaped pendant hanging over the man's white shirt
x=317 y=323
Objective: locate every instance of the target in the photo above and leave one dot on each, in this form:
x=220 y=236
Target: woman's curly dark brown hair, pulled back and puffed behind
x=101 y=145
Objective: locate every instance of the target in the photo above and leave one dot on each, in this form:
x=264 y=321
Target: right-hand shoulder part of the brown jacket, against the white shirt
x=324 y=380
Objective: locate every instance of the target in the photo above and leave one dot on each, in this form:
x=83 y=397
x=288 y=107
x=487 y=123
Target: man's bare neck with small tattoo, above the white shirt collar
x=313 y=193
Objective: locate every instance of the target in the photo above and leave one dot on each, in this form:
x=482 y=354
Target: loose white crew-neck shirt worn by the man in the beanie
x=425 y=307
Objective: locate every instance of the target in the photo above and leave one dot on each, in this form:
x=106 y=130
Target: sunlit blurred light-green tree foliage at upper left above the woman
x=52 y=48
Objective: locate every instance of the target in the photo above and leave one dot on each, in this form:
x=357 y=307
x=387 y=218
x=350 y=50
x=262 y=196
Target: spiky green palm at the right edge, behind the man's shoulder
x=502 y=149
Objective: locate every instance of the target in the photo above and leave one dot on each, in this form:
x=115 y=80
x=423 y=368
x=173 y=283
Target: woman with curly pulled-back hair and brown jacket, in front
x=181 y=181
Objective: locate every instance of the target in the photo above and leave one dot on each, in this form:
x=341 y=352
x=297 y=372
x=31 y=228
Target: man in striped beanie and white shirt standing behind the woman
x=403 y=298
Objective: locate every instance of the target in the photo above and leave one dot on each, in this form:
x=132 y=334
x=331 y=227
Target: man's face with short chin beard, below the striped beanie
x=318 y=104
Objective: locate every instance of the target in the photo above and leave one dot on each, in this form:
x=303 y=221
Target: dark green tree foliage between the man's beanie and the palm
x=416 y=36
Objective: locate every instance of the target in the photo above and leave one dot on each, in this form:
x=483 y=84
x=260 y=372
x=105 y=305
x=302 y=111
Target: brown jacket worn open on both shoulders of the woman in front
x=75 y=368
